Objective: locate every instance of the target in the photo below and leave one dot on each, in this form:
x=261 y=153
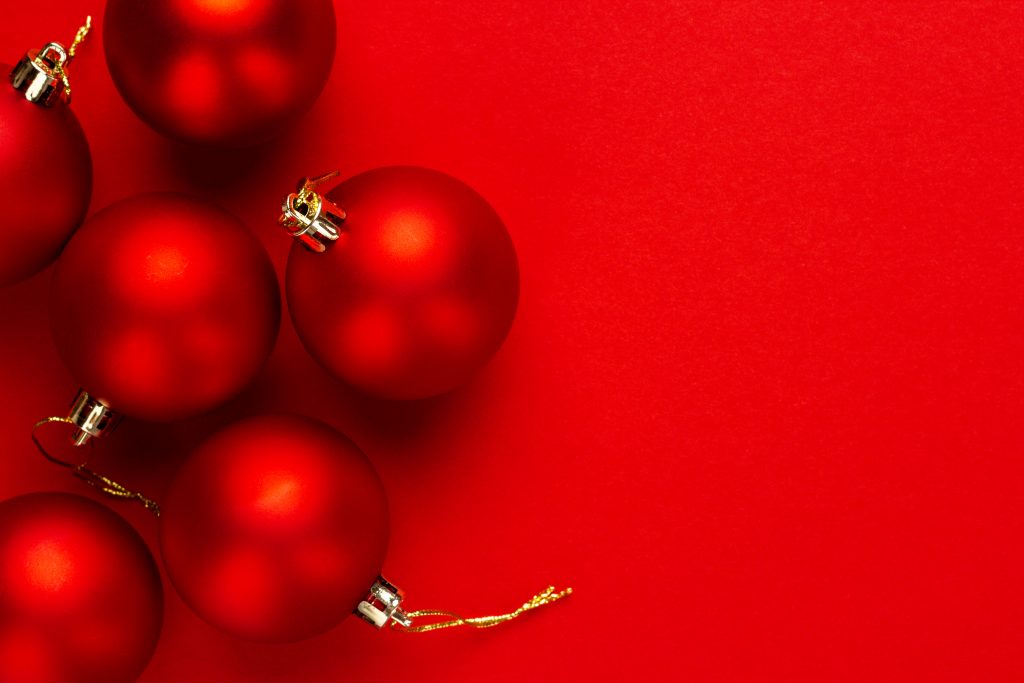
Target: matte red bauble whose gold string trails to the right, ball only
x=276 y=529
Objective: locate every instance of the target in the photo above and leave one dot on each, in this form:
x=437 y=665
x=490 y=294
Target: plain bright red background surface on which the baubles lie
x=762 y=403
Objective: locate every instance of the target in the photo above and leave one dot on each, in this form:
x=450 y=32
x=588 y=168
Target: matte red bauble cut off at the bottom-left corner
x=80 y=596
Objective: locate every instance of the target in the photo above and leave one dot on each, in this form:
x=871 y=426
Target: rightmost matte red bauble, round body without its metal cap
x=416 y=295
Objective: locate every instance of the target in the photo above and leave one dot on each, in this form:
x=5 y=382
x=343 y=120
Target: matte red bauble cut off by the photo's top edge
x=220 y=72
